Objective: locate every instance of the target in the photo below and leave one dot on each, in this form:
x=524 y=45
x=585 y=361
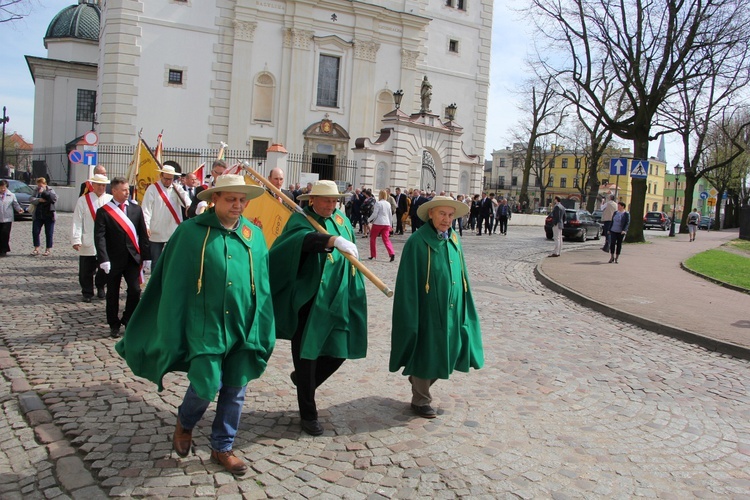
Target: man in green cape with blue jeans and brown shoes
x=207 y=311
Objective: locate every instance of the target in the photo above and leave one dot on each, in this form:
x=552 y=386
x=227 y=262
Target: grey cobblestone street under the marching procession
x=570 y=404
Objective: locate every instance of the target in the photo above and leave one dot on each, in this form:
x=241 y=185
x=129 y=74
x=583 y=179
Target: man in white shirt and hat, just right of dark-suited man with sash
x=162 y=209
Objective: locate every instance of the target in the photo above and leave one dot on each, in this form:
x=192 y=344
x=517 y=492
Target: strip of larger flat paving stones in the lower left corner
x=69 y=469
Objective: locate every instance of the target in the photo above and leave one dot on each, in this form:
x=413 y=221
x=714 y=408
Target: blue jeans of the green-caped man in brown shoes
x=227 y=419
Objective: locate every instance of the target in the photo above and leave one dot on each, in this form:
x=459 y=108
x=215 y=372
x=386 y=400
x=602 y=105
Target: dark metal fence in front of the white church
x=54 y=163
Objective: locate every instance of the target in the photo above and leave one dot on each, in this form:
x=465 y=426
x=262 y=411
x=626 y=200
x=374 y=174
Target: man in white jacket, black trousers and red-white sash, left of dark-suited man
x=82 y=237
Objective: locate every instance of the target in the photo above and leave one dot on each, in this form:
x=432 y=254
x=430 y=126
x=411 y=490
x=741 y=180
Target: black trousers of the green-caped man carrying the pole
x=309 y=373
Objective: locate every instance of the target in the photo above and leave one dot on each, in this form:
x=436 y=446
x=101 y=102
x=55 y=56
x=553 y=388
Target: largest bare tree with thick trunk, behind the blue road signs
x=645 y=46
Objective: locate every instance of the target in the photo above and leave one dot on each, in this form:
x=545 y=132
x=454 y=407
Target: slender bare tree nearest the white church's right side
x=545 y=117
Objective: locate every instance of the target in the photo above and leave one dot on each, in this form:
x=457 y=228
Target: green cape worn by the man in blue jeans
x=222 y=334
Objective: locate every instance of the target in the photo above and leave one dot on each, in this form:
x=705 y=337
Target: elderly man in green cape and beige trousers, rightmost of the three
x=435 y=326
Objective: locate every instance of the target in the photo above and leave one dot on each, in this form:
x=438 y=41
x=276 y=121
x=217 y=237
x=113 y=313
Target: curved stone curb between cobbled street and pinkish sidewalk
x=662 y=329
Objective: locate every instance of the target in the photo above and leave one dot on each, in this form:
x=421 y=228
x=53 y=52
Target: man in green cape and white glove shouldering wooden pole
x=318 y=295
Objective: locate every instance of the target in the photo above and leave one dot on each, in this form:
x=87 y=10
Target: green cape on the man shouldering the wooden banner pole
x=337 y=323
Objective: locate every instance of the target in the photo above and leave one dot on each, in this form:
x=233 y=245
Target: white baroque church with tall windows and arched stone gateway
x=317 y=77
